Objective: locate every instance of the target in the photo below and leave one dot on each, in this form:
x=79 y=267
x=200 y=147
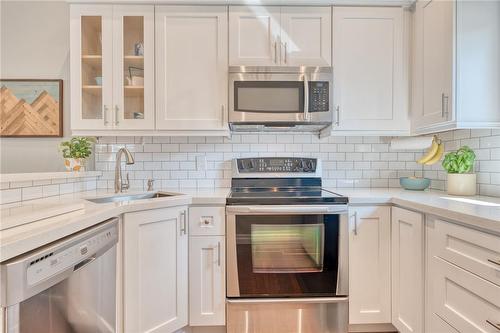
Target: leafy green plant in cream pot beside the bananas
x=459 y=165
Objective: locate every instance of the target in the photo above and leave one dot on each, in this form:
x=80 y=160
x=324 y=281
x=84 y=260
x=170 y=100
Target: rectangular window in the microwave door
x=269 y=96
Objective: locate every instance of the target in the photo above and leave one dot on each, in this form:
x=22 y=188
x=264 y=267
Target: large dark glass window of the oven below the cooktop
x=287 y=255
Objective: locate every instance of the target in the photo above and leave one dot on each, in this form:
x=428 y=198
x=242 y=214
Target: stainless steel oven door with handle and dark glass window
x=287 y=251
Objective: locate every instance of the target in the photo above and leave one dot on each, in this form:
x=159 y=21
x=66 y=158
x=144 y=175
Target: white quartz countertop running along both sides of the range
x=477 y=211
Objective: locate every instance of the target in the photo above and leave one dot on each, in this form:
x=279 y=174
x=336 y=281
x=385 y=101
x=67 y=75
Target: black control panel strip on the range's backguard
x=277 y=165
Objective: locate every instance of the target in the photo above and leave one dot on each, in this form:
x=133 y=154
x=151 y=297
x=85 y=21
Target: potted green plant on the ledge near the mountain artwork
x=75 y=152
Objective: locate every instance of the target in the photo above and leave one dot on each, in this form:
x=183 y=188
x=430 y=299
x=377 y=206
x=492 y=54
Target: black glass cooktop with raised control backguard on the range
x=279 y=181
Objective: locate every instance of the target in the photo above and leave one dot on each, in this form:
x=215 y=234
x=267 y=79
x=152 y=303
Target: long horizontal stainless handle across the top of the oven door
x=288 y=209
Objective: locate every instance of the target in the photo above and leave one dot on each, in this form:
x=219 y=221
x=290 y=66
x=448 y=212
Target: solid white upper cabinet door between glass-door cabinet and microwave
x=191 y=68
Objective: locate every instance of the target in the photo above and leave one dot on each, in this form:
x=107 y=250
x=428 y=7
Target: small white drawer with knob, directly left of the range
x=207 y=221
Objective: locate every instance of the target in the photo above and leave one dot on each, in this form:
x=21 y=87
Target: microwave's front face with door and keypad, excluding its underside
x=280 y=98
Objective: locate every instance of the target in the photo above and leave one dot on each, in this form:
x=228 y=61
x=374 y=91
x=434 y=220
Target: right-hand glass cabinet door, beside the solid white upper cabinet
x=133 y=67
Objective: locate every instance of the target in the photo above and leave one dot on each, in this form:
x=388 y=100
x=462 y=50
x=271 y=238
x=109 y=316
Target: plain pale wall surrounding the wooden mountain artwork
x=34 y=45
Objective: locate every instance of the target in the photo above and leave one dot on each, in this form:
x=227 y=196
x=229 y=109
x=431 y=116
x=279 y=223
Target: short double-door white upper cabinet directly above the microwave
x=279 y=36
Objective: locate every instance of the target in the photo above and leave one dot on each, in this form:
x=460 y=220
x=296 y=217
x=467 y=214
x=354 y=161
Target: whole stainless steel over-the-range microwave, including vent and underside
x=280 y=98
